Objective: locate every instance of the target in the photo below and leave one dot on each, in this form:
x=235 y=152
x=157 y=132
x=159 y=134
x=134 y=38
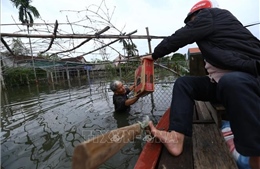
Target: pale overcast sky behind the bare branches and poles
x=162 y=18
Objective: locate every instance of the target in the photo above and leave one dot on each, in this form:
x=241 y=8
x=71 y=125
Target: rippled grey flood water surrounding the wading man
x=41 y=125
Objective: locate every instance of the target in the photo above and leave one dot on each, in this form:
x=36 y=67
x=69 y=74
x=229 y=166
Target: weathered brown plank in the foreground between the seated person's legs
x=210 y=149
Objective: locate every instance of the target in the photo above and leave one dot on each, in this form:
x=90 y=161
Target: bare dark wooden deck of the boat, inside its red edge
x=207 y=147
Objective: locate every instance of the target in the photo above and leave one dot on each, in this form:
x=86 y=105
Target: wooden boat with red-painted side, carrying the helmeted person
x=206 y=149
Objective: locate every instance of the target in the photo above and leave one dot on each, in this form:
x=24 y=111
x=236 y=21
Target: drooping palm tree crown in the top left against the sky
x=26 y=11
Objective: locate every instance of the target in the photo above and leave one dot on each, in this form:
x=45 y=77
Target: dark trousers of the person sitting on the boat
x=240 y=94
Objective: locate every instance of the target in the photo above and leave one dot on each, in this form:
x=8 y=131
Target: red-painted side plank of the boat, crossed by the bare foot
x=152 y=150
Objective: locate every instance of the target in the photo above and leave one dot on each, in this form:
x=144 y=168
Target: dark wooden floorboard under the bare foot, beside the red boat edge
x=183 y=161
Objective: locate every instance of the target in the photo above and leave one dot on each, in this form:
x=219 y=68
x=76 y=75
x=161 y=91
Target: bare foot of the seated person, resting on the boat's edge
x=173 y=140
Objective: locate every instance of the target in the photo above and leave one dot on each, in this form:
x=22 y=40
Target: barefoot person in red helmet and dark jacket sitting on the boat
x=232 y=59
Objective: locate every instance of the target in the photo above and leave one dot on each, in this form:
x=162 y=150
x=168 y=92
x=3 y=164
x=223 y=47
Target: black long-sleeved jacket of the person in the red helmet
x=223 y=41
